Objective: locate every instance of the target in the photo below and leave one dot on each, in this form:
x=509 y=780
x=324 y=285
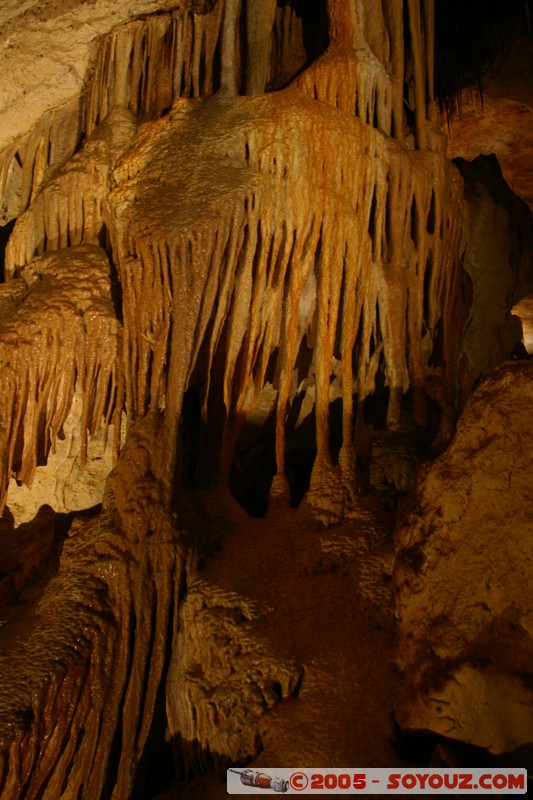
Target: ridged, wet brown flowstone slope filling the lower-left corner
x=86 y=647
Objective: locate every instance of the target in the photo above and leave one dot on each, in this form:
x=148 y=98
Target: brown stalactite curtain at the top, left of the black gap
x=146 y=64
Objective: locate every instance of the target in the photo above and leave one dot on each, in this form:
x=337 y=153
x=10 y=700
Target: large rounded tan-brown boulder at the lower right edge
x=462 y=577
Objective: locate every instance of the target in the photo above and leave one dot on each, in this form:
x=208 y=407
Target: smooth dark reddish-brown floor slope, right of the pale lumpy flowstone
x=330 y=609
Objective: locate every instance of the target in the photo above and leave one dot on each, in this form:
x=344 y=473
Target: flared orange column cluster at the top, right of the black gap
x=379 y=64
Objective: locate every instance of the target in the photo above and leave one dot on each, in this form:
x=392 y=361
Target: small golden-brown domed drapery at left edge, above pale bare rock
x=59 y=335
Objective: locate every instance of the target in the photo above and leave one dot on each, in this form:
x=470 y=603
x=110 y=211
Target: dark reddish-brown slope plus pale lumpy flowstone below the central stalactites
x=269 y=655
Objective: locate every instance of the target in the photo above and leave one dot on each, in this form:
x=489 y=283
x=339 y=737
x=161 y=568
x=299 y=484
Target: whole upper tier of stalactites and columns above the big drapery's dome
x=144 y=65
